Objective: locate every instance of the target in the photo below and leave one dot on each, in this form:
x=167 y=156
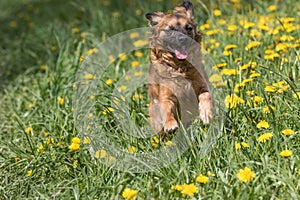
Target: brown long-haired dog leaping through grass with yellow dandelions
x=178 y=85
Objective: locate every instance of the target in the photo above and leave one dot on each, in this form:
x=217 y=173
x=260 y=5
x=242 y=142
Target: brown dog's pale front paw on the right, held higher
x=205 y=107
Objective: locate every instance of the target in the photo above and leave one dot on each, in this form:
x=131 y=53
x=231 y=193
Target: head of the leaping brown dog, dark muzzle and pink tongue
x=174 y=32
